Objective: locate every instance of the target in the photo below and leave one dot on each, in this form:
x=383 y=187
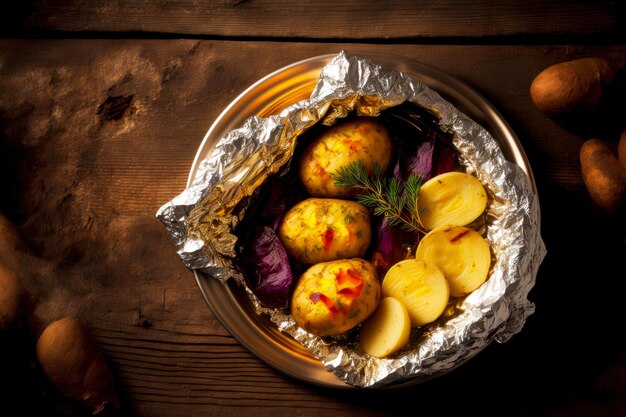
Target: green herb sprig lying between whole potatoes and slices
x=389 y=197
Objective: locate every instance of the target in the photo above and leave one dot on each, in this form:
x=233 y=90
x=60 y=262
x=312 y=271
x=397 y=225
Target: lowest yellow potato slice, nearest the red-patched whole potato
x=387 y=330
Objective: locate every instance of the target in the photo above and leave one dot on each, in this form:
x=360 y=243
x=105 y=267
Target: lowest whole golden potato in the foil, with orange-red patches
x=331 y=298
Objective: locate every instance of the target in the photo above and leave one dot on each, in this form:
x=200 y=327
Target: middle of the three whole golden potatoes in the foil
x=324 y=229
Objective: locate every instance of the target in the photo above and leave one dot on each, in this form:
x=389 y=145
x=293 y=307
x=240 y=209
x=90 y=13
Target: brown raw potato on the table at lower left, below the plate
x=71 y=359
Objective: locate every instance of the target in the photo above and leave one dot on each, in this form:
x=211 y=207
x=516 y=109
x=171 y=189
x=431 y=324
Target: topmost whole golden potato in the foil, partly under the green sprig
x=362 y=138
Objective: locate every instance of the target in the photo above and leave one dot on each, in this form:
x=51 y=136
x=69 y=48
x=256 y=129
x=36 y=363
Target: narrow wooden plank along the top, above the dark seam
x=351 y=19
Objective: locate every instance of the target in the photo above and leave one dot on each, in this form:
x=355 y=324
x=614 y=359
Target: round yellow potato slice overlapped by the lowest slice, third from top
x=420 y=286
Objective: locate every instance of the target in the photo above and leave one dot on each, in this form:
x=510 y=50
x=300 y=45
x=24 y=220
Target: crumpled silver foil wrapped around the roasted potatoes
x=202 y=219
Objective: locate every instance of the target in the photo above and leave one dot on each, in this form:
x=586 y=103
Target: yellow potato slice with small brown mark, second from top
x=461 y=253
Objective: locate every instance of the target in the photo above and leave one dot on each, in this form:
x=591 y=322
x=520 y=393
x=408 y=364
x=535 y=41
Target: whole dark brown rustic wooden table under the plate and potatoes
x=103 y=106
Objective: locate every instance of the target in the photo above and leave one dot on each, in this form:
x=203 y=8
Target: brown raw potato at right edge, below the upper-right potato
x=603 y=175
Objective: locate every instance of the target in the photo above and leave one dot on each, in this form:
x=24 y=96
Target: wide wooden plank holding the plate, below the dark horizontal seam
x=96 y=134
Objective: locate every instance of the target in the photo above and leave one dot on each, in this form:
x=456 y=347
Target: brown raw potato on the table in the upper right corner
x=570 y=85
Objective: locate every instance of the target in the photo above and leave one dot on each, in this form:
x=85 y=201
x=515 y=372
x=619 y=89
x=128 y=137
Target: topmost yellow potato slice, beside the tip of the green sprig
x=453 y=198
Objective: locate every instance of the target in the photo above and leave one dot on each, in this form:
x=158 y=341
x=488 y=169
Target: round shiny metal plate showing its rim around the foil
x=269 y=96
